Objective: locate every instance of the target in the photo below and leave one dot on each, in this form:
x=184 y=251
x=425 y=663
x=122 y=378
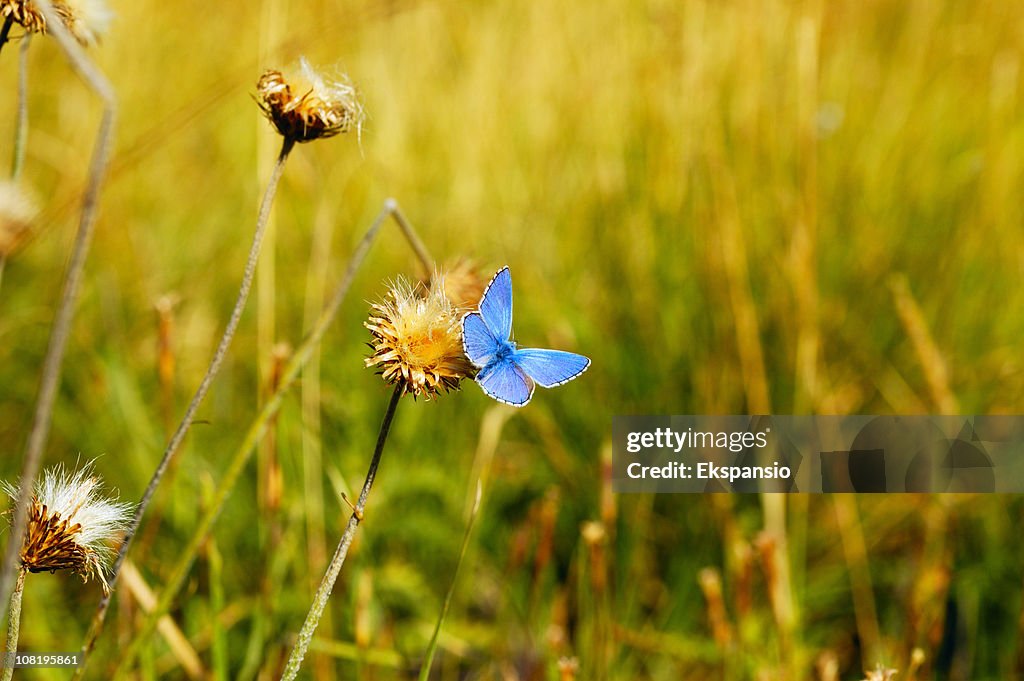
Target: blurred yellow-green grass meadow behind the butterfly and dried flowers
x=732 y=207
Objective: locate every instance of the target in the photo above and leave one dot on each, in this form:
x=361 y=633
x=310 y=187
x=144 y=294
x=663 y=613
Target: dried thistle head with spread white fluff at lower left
x=71 y=525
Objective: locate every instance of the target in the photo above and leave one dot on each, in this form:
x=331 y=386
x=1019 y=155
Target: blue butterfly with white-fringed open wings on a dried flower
x=507 y=373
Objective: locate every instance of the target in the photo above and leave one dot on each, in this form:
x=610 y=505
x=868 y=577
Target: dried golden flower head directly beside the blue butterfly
x=418 y=340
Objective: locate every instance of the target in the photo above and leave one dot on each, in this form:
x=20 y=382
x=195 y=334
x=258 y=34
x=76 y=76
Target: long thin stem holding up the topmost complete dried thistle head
x=211 y=373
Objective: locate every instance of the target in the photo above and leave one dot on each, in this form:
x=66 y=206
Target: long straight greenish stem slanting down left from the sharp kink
x=257 y=432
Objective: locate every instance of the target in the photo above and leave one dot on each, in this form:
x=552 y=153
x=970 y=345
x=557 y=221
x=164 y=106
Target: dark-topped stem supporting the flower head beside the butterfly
x=327 y=584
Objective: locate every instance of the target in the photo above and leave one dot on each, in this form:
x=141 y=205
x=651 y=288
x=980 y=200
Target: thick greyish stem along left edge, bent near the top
x=54 y=361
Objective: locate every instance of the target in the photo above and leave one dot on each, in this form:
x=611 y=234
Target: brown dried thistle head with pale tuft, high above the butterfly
x=305 y=107
